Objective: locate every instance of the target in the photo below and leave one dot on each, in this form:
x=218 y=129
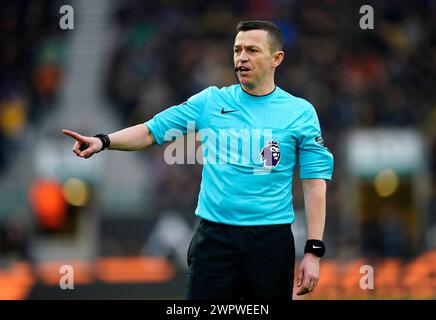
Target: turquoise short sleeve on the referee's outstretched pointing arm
x=179 y=119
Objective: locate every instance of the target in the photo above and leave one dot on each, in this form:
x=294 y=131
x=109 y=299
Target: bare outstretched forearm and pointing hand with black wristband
x=129 y=139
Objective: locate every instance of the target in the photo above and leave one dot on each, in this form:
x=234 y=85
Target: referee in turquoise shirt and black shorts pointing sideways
x=244 y=247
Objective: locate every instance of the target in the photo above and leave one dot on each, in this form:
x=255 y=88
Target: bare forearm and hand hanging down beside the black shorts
x=315 y=208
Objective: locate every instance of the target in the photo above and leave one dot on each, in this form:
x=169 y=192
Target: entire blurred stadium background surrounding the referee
x=124 y=220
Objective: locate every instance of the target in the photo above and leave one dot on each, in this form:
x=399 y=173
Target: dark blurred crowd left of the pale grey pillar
x=31 y=46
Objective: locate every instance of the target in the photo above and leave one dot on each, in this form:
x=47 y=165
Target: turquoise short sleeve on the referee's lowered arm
x=316 y=161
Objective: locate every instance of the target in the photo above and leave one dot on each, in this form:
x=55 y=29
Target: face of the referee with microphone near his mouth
x=253 y=58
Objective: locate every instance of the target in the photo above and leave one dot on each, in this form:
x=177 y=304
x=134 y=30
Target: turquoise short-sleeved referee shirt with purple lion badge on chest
x=251 y=145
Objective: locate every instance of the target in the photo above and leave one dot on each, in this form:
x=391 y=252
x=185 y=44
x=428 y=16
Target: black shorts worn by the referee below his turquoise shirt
x=239 y=262
